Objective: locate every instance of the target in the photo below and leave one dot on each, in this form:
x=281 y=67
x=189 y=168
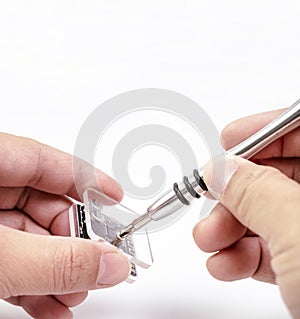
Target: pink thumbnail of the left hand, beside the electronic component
x=114 y=268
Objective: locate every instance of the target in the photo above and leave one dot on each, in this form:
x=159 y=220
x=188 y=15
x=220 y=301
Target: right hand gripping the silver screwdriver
x=255 y=229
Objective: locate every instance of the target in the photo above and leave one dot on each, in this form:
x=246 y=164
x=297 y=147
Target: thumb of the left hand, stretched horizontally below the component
x=41 y=265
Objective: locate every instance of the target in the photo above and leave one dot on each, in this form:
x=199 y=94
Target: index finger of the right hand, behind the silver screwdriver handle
x=239 y=130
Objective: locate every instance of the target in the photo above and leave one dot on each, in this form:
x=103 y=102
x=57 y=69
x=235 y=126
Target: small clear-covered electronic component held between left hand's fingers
x=98 y=220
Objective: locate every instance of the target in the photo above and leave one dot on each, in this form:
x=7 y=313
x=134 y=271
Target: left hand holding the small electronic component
x=42 y=273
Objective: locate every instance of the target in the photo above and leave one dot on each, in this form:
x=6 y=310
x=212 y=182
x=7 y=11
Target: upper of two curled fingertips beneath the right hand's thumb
x=220 y=230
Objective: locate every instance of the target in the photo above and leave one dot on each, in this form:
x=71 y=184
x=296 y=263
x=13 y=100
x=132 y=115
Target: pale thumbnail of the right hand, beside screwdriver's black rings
x=218 y=173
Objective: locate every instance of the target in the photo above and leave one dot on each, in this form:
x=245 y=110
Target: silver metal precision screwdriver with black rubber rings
x=193 y=186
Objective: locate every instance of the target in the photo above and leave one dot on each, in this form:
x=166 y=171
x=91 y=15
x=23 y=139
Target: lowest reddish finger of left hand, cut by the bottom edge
x=42 y=307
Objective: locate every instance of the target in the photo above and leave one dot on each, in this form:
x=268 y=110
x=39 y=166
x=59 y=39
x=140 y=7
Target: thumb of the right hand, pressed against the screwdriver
x=260 y=197
